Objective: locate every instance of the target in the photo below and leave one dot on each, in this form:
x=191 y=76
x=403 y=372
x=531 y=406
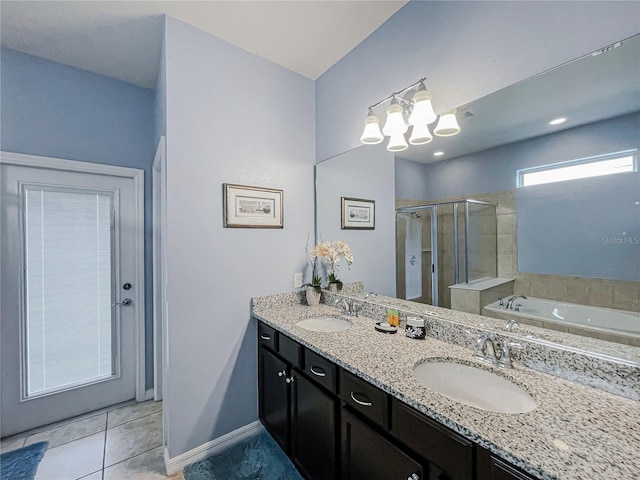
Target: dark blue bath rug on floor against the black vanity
x=256 y=458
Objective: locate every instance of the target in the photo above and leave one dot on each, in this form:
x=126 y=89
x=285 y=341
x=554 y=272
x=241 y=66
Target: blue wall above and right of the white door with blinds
x=53 y=110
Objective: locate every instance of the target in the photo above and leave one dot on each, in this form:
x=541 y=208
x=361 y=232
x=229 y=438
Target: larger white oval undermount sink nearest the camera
x=474 y=386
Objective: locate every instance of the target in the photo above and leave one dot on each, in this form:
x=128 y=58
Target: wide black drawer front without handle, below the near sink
x=432 y=441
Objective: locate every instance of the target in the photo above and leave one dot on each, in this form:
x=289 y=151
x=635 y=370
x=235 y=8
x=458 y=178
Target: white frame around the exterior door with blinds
x=137 y=175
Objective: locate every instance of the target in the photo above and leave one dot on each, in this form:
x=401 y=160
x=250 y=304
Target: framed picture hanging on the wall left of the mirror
x=252 y=207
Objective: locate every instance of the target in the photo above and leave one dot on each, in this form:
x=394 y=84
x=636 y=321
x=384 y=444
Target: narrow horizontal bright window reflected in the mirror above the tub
x=619 y=162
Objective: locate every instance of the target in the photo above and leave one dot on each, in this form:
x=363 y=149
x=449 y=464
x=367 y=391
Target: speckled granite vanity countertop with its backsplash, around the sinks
x=601 y=430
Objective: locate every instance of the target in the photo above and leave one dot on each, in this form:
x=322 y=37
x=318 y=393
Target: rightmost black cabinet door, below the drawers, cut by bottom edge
x=366 y=454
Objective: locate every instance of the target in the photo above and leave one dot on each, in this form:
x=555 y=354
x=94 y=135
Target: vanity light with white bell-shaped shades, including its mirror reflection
x=402 y=113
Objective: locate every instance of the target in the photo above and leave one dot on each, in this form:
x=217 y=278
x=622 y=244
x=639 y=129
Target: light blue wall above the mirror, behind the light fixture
x=465 y=49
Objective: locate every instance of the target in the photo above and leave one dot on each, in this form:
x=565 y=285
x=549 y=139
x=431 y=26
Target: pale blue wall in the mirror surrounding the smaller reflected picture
x=365 y=172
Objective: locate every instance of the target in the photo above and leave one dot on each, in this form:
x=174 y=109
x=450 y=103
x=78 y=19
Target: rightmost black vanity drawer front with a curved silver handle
x=364 y=398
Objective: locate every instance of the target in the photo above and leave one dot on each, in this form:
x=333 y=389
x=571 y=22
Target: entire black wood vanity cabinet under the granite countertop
x=335 y=425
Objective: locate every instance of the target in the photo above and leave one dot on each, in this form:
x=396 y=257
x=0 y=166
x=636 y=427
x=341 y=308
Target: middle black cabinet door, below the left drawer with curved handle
x=314 y=430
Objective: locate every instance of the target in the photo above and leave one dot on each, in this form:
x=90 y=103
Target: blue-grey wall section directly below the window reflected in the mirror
x=583 y=228
